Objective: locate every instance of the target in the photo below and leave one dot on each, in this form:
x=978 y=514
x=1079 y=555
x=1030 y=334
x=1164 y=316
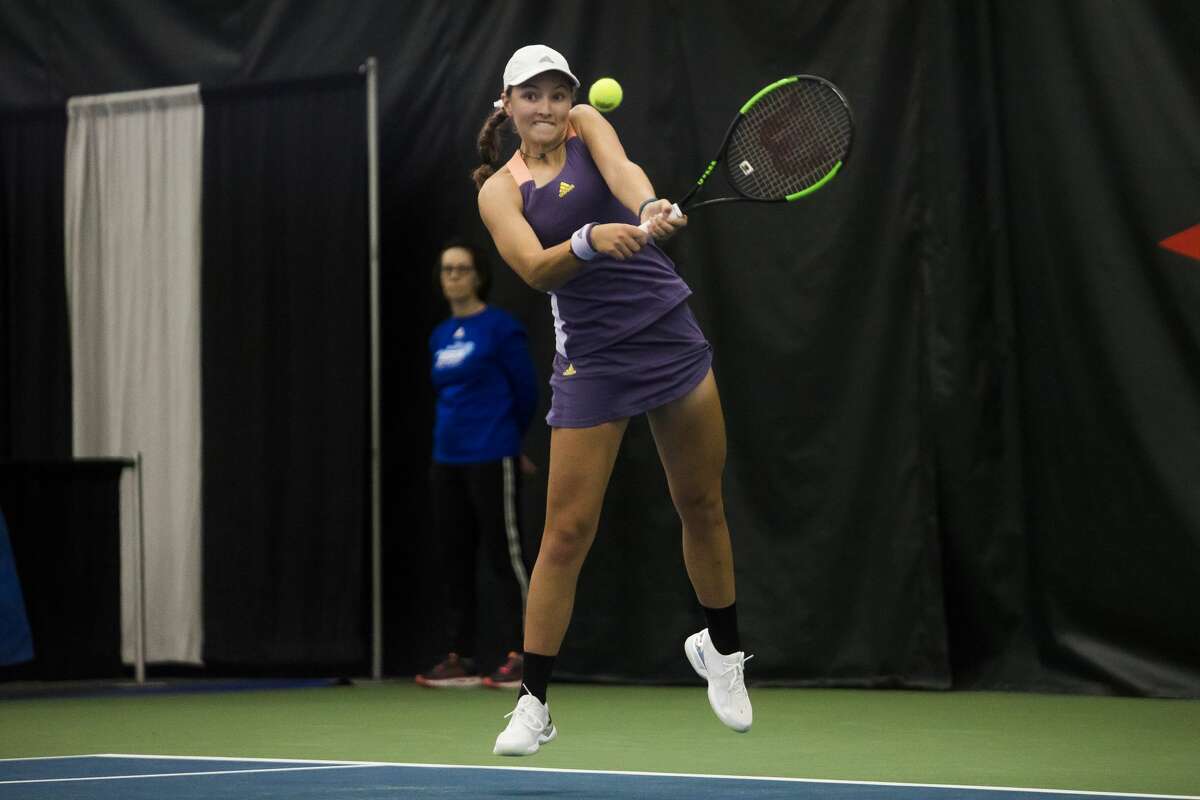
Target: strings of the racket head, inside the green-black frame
x=789 y=141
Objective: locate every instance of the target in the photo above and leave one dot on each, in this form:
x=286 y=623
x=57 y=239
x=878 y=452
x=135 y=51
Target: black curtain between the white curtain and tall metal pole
x=286 y=375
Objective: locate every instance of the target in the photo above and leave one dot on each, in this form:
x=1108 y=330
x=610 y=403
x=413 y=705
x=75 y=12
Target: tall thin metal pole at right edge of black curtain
x=376 y=471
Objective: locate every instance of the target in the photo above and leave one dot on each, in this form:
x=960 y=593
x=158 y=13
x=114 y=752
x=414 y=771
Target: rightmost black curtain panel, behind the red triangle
x=1100 y=127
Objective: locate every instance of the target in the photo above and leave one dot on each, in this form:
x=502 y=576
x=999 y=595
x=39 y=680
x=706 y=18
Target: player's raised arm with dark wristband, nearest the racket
x=626 y=181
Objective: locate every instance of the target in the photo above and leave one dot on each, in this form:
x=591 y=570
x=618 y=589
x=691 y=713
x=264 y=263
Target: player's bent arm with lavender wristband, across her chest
x=544 y=269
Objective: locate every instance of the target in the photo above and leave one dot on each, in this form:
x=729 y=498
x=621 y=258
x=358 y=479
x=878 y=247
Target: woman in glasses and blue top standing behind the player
x=487 y=394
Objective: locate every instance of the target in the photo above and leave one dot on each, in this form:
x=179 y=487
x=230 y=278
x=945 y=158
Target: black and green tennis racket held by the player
x=785 y=143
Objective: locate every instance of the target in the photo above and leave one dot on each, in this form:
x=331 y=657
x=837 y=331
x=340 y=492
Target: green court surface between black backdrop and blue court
x=1097 y=744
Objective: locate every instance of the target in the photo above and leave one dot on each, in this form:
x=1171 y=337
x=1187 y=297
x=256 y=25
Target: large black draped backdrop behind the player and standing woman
x=963 y=383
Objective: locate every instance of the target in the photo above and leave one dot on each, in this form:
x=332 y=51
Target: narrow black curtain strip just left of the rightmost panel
x=969 y=369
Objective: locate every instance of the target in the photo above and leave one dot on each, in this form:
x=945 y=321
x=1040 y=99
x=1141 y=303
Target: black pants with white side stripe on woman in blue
x=479 y=506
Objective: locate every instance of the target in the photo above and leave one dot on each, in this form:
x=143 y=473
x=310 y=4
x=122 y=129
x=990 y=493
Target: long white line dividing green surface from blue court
x=695 y=775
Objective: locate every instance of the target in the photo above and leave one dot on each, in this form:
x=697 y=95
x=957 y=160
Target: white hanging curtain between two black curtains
x=133 y=207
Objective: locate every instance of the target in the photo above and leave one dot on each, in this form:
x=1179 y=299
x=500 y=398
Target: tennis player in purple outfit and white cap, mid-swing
x=565 y=213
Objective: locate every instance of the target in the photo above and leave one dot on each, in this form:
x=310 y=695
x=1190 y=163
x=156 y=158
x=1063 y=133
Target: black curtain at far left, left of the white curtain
x=35 y=364
